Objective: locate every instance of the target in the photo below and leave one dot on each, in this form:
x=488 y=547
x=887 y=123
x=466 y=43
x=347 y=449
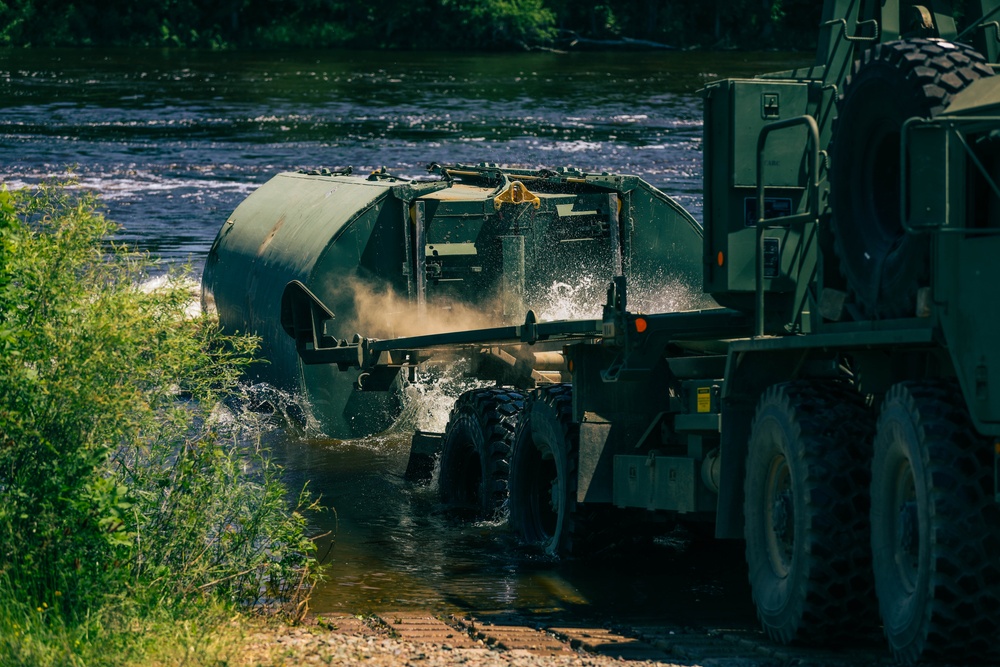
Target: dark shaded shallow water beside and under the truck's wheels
x=391 y=546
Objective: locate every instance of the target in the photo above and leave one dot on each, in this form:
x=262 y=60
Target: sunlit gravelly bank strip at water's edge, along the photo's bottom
x=511 y=639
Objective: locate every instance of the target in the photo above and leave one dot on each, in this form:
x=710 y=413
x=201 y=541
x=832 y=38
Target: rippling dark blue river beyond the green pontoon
x=173 y=140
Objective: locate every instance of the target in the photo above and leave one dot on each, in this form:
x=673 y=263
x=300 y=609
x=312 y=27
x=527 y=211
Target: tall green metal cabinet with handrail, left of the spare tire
x=736 y=111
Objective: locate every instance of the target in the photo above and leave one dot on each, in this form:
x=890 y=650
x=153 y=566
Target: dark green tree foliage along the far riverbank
x=429 y=24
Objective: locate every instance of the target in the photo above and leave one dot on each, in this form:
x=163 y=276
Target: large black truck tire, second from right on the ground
x=806 y=511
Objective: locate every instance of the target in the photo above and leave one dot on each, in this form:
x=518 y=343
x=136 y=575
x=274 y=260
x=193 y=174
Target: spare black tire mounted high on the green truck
x=882 y=264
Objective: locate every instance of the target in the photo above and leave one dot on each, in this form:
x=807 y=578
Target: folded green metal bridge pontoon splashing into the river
x=472 y=246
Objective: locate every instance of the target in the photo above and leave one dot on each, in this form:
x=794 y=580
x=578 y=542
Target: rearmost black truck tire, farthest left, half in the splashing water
x=475 y=451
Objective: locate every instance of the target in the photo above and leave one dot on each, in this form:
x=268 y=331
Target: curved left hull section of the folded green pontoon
x=304 y=227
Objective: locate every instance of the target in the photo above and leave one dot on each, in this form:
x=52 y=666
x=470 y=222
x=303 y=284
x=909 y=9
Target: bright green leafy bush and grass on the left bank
x=126 y=501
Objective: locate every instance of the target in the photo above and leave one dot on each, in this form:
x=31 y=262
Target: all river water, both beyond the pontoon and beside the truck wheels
x=174 y=140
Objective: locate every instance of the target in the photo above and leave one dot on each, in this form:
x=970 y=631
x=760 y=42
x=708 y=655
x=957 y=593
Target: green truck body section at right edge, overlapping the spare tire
x=952 y=193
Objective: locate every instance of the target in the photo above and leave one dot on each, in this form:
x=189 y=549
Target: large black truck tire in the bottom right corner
x=935 y=527
